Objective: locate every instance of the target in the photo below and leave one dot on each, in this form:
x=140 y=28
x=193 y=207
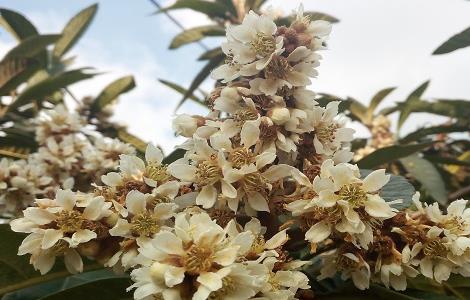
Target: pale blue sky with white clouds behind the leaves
x=376 y=44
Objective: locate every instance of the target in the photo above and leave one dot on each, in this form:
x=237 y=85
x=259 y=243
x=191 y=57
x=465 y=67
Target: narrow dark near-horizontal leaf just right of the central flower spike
x=389 y=154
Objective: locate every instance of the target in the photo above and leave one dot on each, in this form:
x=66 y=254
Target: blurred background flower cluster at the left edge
x=69 y=155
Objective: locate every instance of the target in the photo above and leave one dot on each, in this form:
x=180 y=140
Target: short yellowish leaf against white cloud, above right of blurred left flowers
x=112 y=91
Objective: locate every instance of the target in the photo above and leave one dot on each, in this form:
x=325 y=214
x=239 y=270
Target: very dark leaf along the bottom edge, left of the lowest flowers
x=103 y=289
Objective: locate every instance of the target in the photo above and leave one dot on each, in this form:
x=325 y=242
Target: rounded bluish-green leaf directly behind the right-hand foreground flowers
x=397 y=188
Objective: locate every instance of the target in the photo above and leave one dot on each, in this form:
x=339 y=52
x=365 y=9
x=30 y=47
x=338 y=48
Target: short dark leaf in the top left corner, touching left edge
x=18 y=25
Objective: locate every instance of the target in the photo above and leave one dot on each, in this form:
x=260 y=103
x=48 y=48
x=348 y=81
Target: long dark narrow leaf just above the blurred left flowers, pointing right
x=48 y=86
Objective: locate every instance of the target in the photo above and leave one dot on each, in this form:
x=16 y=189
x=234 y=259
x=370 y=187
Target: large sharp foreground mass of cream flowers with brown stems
x=264 y=174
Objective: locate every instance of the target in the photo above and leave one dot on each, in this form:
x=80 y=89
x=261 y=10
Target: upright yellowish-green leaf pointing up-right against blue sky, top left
x=74 y=30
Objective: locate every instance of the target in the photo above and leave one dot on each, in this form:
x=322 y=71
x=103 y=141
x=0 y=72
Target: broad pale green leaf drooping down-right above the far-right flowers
x=426 y=174
